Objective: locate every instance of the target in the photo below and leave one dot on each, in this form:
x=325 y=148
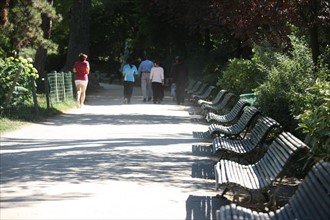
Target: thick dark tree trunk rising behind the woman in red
x=79 y=37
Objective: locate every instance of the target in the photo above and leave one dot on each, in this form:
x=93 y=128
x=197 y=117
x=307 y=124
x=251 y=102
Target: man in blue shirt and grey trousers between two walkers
x=144 y=71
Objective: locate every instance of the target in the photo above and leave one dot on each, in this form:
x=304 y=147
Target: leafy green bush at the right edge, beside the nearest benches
x=314 y=121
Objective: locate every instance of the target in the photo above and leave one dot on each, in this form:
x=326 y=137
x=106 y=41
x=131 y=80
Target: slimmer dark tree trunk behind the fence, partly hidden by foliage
x=41 y=54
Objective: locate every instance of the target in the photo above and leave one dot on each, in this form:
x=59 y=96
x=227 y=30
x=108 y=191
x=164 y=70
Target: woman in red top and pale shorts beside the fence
x=81 y=70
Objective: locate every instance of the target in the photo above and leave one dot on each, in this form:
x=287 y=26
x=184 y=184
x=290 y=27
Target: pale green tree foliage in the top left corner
x=24 y=28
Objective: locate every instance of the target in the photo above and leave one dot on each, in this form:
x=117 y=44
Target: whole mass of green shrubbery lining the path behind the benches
x=292 y=90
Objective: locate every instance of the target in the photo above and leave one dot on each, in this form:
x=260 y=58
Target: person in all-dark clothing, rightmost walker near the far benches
x=179 y=73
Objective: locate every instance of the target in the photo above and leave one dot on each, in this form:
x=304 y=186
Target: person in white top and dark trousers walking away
x=157 y=82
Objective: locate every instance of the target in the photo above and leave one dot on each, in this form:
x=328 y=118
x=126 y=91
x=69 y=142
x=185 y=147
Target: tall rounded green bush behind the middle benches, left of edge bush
x=280 y=96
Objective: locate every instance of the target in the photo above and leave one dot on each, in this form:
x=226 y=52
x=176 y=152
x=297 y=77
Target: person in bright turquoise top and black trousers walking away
x=129 y=72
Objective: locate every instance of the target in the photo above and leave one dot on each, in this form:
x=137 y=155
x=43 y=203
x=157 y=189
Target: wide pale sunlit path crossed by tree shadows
x=106 y=161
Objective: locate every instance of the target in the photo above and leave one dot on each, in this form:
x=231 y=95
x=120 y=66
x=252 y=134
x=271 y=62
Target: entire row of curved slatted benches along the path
x=253 y=152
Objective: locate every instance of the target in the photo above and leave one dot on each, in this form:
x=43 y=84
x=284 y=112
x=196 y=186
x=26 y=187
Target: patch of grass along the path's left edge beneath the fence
x=16 y=117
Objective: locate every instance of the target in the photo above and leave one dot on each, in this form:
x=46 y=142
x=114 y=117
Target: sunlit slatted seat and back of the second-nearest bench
x=261 y=174
